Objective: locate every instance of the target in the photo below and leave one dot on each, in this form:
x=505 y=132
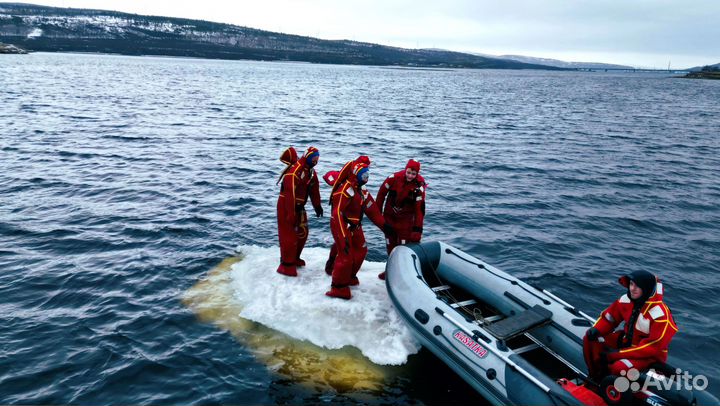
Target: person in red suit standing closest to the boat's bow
x=404 y=208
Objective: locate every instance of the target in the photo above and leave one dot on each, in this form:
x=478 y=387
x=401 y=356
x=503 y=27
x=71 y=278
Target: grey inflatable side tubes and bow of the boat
x=482 y=360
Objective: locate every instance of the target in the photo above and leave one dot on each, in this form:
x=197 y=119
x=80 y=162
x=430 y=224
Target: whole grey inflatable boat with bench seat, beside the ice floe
x=515 y=344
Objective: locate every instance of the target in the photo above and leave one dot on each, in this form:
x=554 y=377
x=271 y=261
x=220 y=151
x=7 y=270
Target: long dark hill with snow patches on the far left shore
x=51 y=29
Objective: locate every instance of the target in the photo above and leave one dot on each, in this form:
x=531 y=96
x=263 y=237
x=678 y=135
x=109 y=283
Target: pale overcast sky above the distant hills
x=645 y=33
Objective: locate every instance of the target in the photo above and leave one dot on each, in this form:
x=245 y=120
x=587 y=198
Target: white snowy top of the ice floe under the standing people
x=299 y=308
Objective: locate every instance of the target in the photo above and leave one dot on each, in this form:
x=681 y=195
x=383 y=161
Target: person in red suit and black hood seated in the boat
x=649 y=328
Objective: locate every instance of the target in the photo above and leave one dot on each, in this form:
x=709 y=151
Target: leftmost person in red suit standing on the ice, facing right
x=297 y=182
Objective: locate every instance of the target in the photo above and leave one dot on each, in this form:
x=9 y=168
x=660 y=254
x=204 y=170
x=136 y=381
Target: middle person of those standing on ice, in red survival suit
x=349 y=203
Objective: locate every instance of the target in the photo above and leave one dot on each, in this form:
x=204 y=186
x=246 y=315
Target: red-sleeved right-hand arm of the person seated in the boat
x=662 y=330
